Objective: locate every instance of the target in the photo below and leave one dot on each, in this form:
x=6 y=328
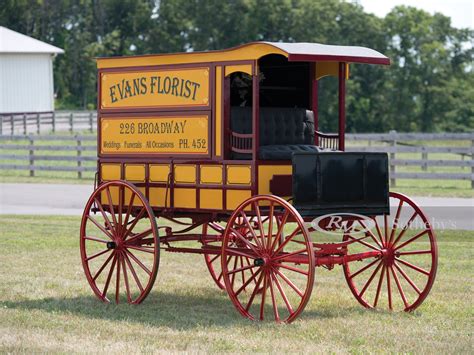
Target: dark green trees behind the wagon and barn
x=429 y=86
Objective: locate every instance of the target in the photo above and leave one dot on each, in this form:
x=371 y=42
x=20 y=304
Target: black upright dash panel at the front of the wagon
x=340 y=182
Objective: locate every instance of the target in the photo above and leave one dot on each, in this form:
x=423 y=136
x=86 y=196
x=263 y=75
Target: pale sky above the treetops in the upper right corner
x=460 y=11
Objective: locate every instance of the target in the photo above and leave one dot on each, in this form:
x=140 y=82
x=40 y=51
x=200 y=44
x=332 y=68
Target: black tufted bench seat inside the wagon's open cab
x=283 y=131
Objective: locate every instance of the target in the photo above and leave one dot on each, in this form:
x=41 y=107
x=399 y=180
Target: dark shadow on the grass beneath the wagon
x=178 y=311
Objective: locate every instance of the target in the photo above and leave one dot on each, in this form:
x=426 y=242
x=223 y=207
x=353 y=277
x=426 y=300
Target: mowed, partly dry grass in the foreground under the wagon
x=46 y=305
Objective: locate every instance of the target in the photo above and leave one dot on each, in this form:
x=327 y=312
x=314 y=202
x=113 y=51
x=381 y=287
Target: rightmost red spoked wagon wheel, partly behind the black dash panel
x=403 y=276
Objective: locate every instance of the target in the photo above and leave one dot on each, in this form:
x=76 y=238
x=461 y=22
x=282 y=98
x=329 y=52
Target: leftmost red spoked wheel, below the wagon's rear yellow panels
x=119 y=243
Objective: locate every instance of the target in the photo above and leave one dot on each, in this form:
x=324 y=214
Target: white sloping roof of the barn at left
x=14 y=42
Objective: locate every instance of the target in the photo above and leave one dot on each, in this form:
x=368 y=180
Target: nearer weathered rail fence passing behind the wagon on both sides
x=460 y=161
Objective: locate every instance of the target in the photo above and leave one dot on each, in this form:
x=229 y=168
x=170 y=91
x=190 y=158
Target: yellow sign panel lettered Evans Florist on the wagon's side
x=163 y=88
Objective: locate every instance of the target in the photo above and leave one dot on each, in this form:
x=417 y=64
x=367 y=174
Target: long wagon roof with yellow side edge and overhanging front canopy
x=307 y=52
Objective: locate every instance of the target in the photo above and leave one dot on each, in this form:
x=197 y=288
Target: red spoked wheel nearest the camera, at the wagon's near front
x=268 y=265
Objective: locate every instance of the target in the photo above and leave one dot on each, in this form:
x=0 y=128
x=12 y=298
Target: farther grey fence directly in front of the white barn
x=41 y=122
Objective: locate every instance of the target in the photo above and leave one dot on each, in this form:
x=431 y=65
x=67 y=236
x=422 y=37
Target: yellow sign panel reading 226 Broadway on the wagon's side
x=158 y=135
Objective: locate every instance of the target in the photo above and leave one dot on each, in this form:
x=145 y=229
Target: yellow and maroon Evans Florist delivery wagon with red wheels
x=225 y=147
